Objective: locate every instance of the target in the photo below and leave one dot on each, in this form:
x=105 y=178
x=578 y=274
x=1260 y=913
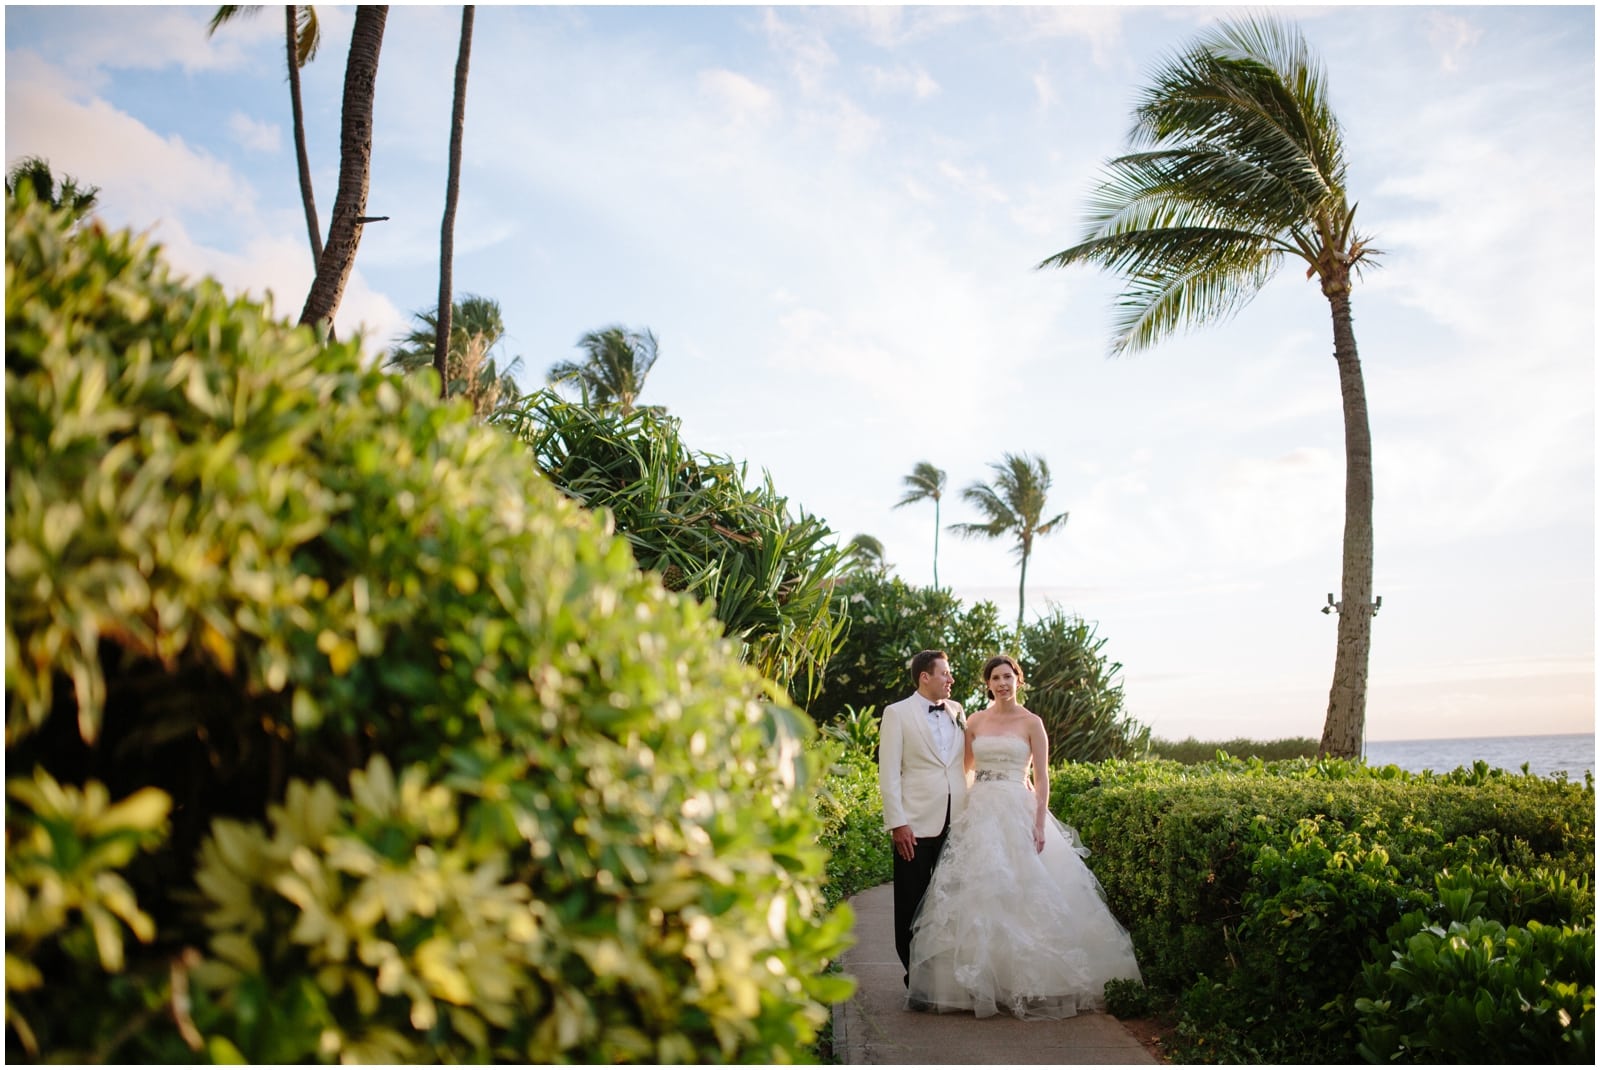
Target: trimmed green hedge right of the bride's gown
x=1263 y=895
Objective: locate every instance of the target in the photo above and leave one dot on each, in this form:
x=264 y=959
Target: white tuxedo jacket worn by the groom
x=913 y=775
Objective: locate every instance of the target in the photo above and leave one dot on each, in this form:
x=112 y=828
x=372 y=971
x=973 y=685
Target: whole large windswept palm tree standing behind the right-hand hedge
x=1239 y=166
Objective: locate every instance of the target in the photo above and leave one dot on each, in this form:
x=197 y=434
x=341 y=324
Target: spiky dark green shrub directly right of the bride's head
x=1076 y=690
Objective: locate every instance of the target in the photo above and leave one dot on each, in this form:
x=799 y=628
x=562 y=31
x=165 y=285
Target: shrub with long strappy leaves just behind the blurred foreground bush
x=692 y=517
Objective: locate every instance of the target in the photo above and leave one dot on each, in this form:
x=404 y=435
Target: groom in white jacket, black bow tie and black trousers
x=924 y=783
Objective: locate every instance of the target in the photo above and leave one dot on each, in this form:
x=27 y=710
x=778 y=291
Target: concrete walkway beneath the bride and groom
x=876 y=1028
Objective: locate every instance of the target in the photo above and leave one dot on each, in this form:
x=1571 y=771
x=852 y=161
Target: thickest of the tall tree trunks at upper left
x=356 y=164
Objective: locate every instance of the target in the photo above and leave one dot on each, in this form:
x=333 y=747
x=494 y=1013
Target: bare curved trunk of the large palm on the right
x=1346 y=725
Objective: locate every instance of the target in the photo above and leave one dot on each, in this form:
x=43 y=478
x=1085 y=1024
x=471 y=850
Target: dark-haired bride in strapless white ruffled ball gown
x=1014 y=919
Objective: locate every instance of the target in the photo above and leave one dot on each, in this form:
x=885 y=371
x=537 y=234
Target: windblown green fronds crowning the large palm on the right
x=1239 y=164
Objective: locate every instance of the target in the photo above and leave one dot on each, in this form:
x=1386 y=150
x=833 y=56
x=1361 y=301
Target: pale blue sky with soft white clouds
x=831 y=218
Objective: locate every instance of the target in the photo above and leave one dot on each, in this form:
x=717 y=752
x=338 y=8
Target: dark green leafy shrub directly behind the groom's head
x=890 y=621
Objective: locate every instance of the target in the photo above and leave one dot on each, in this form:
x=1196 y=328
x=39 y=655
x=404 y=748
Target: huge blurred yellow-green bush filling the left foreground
x=449 y=777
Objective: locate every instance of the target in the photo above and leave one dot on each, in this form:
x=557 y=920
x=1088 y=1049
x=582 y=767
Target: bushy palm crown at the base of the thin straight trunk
x=478 y=327
